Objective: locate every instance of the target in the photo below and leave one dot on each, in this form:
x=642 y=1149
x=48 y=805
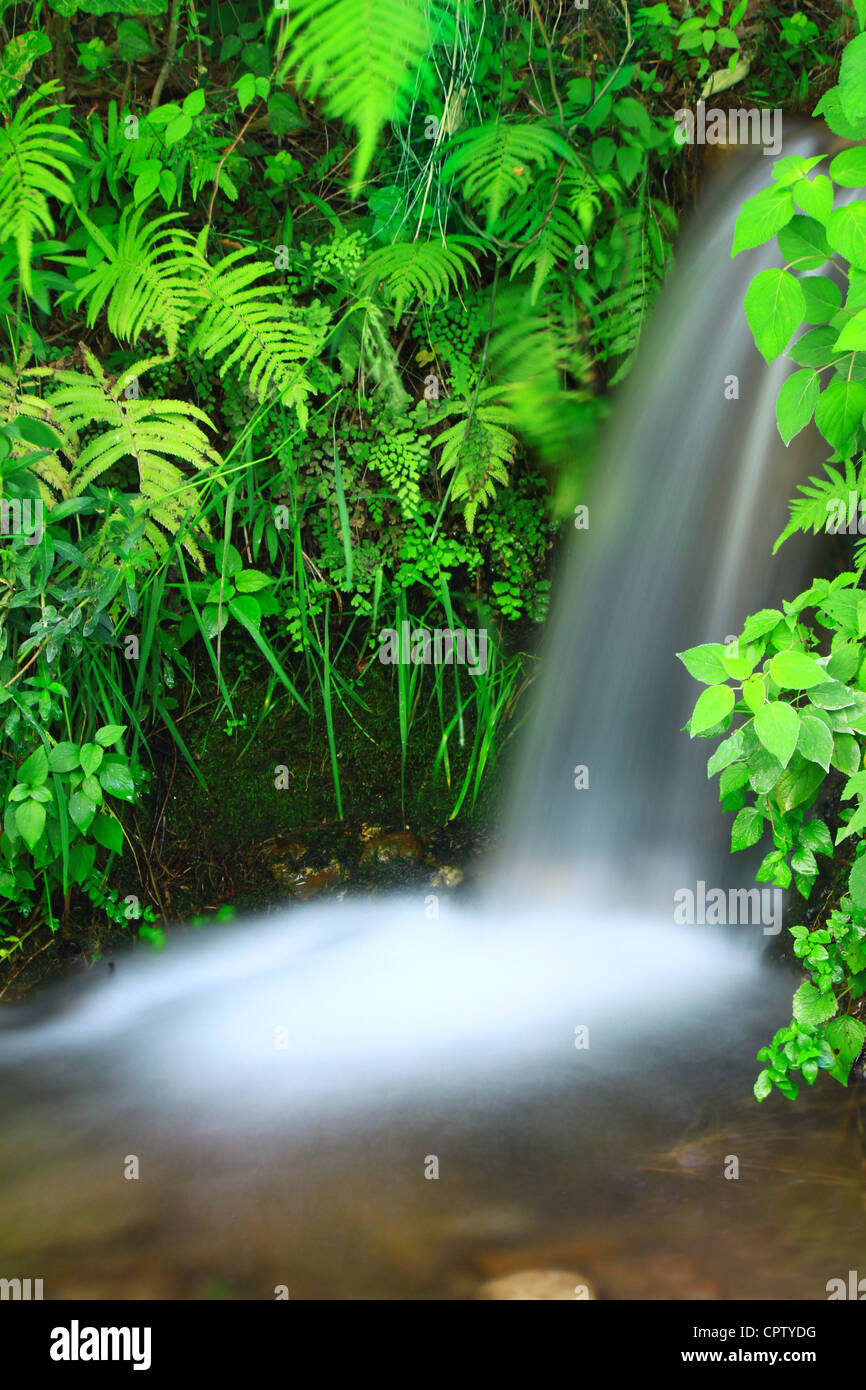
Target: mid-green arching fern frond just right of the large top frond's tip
x=497 y=161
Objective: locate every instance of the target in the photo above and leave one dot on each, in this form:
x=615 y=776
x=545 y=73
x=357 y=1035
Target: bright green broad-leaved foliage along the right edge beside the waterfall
x=794 y=683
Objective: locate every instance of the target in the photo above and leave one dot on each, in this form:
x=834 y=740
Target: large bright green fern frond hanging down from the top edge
x=363 y=56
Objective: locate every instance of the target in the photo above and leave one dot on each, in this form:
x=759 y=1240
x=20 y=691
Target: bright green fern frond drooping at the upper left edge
x=34 y=155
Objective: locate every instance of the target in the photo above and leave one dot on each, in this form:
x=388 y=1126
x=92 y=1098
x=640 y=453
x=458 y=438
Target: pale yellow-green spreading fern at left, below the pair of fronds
x=154 y=434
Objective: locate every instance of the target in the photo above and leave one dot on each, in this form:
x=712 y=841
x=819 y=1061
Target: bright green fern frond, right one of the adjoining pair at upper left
x=248 y=322
